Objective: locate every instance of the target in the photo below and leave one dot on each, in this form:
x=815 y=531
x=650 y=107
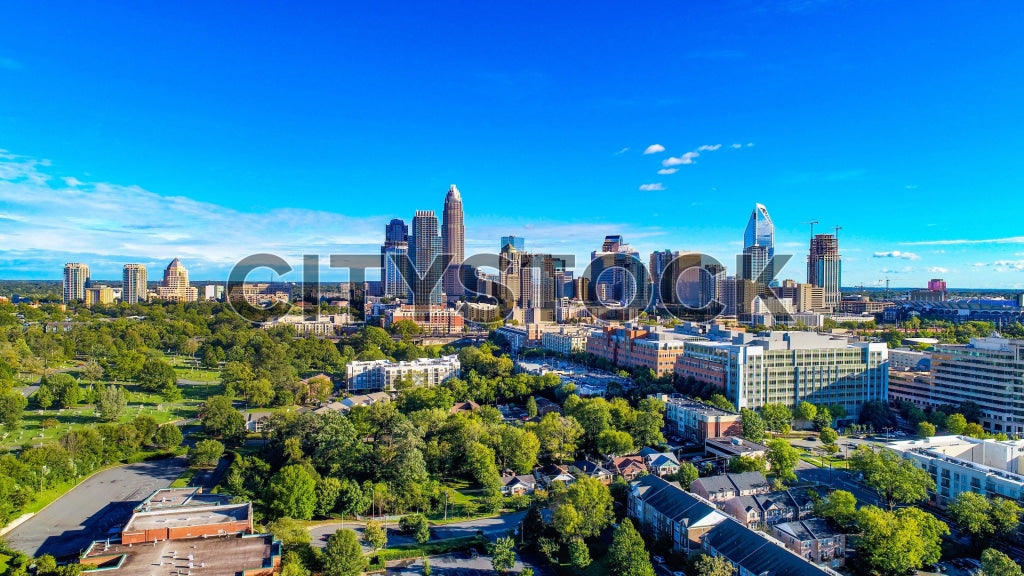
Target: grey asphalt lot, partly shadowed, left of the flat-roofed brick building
x=87 y=513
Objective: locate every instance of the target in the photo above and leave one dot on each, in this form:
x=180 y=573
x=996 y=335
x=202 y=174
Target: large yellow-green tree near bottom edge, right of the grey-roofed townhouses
x=894 y=544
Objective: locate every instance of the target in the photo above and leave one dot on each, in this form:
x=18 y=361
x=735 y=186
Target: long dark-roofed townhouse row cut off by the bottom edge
x=754 y=554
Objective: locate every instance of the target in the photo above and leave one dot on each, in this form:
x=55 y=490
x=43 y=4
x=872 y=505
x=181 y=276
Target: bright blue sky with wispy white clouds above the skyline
x=209 y=132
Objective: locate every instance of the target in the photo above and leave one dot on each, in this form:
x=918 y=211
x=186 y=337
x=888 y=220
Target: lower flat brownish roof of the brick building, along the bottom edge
x=229 y=555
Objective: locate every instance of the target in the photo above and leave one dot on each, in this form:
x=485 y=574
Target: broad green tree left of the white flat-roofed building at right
x=897 y=480
